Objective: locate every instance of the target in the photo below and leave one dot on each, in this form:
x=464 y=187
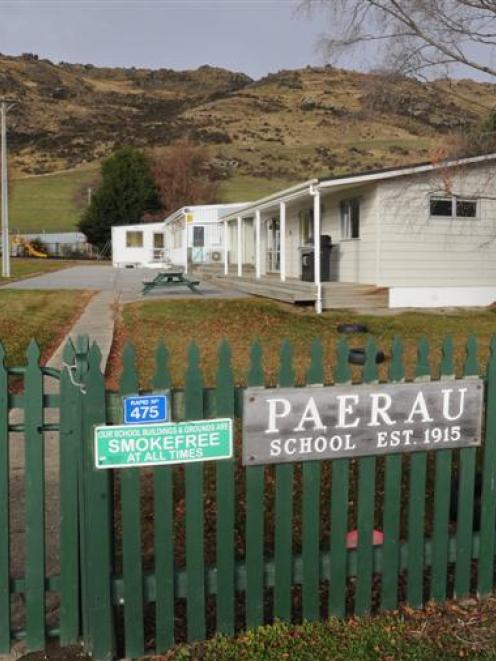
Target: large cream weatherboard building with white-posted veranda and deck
x=415 y=236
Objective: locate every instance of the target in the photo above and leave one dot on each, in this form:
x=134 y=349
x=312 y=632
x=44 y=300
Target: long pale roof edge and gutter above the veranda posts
x=343 y=180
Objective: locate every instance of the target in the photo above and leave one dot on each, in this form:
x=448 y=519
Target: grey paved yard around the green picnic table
x=126 y=284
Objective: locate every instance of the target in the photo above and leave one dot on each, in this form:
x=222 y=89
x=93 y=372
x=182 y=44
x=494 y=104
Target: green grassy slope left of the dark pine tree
x=47 y=202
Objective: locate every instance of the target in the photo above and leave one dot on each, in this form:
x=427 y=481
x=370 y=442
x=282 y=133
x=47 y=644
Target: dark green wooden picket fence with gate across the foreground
x=154 y=556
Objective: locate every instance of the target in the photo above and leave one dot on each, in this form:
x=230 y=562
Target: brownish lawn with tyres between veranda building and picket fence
x=240 y=321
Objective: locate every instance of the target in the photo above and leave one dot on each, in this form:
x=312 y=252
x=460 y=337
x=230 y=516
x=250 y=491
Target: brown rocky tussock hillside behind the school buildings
x=260 y=135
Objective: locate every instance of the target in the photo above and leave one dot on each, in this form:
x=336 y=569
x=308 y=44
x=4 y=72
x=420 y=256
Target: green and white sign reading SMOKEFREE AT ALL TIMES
x=121 y=446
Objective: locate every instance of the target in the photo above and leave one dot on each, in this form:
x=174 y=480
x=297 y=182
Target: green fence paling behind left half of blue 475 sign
x=131 y=532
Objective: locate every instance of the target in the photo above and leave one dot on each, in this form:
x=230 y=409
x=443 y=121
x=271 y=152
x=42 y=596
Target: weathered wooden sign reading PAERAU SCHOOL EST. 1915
x=300 y=424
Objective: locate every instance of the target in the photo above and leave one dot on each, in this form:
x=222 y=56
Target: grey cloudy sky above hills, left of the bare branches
x=255 y=37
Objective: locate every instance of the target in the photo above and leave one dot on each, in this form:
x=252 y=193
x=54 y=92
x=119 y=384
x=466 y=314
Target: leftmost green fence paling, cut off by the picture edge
x=4 y=509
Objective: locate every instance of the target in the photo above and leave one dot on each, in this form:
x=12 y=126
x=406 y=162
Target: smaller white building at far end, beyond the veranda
x=191 y=235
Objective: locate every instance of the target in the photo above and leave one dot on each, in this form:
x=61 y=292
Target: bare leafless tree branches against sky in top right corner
x=414 y=37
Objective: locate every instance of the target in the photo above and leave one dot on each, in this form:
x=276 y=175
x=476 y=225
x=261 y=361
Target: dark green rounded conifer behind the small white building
x=127 y=190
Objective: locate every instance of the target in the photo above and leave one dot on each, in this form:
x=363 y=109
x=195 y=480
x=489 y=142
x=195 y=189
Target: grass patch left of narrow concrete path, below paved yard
x=44 y=315
